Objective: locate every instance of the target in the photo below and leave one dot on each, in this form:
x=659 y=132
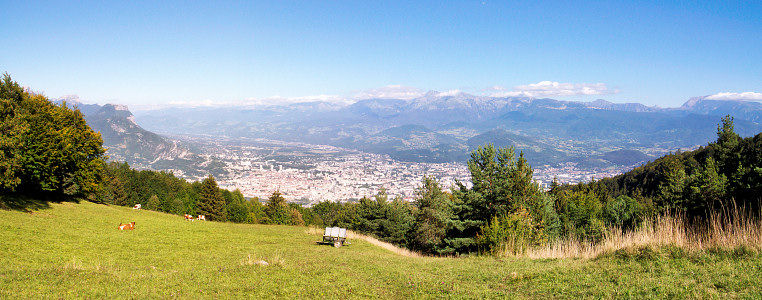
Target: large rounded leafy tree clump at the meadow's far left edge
x=53 y=150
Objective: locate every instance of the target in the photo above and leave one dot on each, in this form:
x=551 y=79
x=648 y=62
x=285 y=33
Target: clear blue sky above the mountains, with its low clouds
x=144 y=53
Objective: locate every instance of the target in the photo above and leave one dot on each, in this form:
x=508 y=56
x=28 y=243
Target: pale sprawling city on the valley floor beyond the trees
x=307 y=174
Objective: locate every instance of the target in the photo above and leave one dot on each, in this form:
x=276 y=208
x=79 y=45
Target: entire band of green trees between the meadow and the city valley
x=48 y=151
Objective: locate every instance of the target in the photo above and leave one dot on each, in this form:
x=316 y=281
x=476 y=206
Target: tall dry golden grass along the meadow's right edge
x=726 y=230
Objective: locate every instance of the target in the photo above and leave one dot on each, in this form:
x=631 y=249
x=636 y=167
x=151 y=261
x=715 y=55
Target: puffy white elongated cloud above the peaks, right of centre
x=552 y=89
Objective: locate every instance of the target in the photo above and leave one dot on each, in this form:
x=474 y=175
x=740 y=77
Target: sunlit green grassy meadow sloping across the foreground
x=74 y=250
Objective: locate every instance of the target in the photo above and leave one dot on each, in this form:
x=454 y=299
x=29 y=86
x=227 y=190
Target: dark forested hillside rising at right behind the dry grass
x=722 y=174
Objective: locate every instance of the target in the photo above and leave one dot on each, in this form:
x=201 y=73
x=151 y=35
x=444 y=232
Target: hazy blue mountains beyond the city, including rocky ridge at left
x=432 y=128
